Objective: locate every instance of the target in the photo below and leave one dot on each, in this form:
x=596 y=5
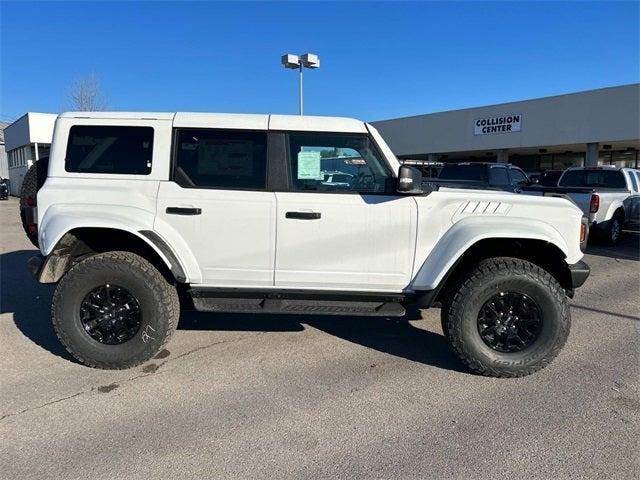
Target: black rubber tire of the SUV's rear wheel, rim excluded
x=158 y=301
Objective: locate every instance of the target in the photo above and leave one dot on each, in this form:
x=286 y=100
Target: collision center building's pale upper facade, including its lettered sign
x=595 y=127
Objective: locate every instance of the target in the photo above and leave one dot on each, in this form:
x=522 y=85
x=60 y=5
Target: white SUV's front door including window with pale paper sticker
x=346 y=230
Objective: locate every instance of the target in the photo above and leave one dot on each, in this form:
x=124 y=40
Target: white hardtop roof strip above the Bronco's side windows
x=237 y=121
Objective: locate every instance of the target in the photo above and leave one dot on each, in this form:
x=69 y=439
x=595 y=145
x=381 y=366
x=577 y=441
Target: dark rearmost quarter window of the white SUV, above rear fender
x=107 y=149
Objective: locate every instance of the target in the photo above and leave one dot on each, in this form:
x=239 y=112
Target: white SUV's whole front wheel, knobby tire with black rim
x=507 y=318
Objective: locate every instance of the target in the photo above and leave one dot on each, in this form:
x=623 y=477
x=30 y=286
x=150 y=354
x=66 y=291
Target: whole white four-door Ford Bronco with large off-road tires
x=142 y=213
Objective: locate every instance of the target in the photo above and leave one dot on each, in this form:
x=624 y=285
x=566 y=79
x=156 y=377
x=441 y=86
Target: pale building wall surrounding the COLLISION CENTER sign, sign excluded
x=608 y=114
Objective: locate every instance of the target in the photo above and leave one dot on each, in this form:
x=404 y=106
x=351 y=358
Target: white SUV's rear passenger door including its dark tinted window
x=217 y=208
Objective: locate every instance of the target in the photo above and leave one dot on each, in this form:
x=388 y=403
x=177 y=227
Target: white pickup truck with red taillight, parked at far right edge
x=610 y=197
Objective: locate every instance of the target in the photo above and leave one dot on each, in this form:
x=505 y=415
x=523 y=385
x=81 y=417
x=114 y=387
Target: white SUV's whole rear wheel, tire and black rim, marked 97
x=114 y=310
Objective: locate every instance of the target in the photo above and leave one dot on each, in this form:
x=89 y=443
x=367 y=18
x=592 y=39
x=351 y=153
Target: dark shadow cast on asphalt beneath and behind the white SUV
x=30 y=304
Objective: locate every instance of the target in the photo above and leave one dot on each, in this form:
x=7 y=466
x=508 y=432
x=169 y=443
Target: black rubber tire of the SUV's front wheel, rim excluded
x=489 y=277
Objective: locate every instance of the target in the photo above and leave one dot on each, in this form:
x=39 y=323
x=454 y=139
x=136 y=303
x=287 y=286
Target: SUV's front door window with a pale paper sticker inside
x=336 y=162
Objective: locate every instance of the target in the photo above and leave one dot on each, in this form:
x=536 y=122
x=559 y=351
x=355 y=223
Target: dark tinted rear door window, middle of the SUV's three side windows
x=221 y=159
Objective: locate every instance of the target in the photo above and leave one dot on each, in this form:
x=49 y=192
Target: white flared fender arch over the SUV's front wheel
x=470 y=230
